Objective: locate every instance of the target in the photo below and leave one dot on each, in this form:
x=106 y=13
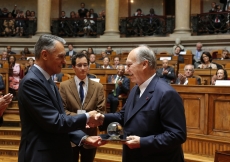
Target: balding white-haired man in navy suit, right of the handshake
x=153 y=117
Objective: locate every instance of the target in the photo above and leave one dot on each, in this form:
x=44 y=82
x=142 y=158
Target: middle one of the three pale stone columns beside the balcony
x=112 y=18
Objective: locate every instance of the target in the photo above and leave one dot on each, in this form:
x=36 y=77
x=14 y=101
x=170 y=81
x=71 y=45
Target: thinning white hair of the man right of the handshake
x=145 y=53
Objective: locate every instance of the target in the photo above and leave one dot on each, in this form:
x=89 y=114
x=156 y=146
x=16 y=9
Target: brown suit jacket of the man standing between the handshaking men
x=71 y=101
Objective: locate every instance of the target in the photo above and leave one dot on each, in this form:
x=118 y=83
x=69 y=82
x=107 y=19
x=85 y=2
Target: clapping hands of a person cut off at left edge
x=4 y=102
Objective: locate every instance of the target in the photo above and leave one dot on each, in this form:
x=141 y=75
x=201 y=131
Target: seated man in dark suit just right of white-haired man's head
x=166 y=72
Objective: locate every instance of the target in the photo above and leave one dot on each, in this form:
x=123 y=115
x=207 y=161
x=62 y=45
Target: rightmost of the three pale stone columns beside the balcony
x=182 y=17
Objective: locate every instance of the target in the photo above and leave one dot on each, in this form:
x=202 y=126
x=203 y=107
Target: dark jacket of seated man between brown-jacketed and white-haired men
x=124 y=88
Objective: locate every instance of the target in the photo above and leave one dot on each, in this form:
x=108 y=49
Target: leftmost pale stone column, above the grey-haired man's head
x=43 y=18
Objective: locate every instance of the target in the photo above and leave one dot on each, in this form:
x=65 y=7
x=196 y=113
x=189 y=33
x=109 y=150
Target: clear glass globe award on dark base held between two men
x=115 y=133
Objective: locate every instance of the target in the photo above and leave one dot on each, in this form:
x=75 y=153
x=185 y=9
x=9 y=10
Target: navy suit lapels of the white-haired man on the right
x=145 y=97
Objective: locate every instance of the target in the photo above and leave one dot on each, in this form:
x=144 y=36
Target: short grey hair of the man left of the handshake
x=46 y=42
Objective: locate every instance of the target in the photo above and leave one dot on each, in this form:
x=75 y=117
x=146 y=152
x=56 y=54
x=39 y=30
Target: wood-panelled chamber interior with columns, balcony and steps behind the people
x=121 y=25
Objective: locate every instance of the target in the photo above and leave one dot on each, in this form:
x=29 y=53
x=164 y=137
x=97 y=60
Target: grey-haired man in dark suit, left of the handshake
x=46 y=129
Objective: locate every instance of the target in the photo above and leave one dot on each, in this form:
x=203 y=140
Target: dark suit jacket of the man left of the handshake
x=45 y=126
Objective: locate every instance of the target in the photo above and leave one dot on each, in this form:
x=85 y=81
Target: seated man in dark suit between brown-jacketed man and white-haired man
x=122 y=84
